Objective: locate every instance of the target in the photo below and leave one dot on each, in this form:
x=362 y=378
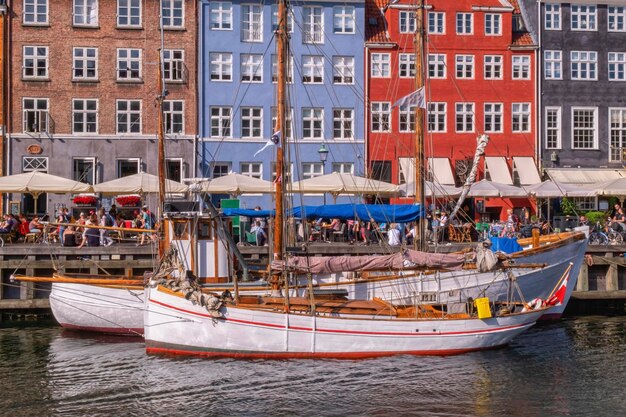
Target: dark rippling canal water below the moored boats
x=574 y=367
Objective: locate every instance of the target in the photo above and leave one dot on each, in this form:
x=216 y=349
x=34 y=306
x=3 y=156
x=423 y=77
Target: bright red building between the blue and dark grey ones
x=479 y=62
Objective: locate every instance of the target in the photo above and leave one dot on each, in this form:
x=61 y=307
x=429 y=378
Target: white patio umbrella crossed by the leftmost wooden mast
x=141 y=183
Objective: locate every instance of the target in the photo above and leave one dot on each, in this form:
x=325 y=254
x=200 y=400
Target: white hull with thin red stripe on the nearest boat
x=173 y=325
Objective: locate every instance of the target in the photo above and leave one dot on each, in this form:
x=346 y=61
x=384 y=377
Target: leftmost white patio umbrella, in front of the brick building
x=36 y=183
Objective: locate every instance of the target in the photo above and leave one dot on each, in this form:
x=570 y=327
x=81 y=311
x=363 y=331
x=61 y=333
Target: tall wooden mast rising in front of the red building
x=419 y=125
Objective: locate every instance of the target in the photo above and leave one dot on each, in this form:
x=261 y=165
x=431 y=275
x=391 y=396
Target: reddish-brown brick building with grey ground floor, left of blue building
x=82 y=83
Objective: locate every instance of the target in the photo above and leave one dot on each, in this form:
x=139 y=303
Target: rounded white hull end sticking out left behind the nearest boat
x=98 y=308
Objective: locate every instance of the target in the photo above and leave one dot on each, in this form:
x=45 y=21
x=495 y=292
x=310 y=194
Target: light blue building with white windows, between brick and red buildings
x=237 y=91
